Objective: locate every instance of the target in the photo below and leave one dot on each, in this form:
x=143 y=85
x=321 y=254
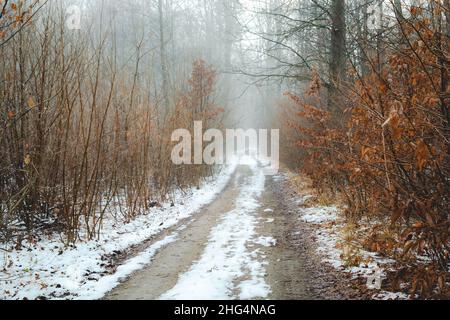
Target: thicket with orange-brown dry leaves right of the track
x=383 y=144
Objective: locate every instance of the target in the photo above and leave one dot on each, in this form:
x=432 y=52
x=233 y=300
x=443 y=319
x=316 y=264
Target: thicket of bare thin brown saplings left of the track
x=86 y=121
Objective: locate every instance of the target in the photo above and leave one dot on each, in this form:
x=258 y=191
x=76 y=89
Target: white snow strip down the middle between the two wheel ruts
x=227 y=258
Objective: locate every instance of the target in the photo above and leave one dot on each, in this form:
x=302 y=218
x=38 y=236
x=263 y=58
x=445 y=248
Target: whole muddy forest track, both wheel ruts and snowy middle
x=281 y=245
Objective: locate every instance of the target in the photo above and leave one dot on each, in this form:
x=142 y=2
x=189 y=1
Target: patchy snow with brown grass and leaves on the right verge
x=334 y=249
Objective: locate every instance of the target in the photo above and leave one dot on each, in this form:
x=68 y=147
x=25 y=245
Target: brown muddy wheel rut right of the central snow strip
x=295 y=270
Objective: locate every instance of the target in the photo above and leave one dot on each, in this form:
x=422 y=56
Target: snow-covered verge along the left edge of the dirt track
x=49 y=270
